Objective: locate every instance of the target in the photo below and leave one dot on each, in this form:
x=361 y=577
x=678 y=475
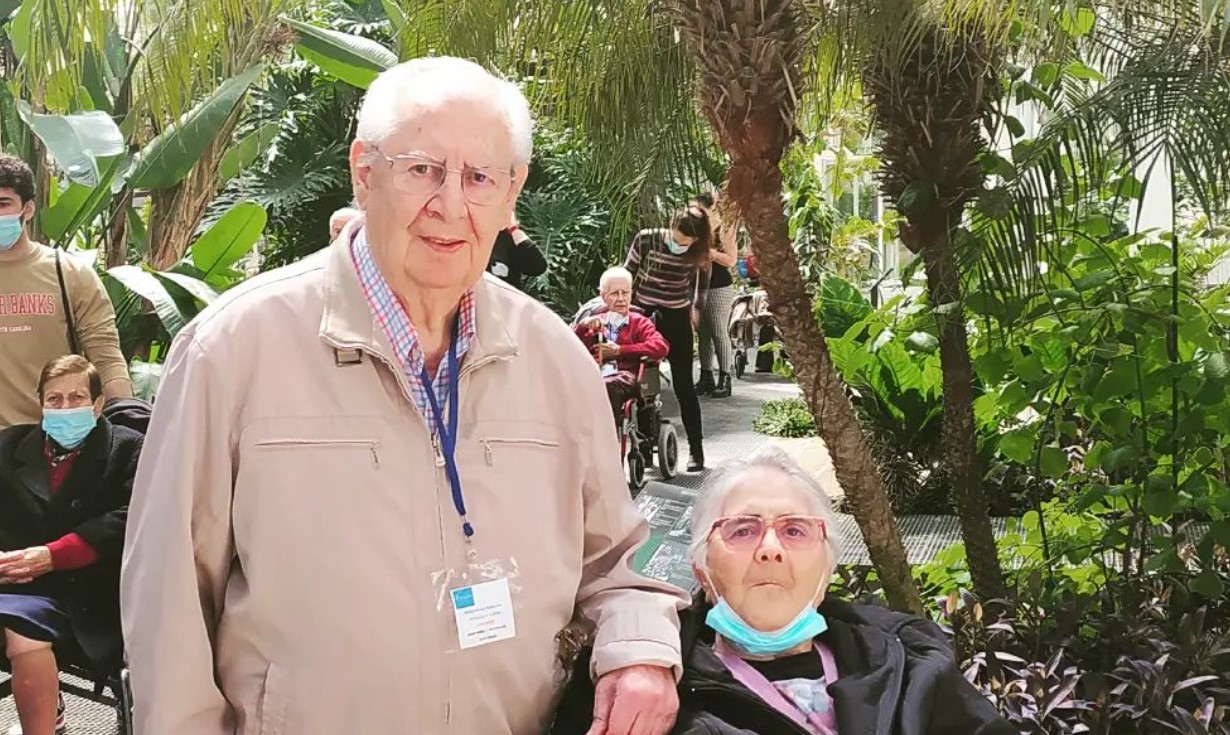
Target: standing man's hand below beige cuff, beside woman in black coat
x=635 y=701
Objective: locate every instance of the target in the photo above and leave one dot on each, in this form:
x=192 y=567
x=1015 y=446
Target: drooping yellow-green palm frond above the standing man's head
x=613 y=71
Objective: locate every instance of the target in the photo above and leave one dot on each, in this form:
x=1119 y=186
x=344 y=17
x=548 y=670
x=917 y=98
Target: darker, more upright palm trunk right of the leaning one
x=930 y=98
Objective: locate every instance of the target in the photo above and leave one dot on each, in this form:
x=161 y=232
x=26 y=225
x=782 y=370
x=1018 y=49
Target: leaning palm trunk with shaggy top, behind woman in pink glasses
x=750 y=55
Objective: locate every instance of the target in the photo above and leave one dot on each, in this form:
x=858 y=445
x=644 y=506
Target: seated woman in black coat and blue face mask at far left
x=65 y=491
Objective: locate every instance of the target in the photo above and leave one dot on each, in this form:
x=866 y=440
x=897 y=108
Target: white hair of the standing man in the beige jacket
x=424 y=84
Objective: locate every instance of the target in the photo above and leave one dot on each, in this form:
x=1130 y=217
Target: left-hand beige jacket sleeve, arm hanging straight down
x=179 y=551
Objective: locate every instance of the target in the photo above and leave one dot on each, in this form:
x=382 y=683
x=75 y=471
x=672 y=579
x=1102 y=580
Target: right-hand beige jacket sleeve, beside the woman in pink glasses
x=637 y=619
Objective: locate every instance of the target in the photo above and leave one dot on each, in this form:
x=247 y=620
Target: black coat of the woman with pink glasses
x=897 y=677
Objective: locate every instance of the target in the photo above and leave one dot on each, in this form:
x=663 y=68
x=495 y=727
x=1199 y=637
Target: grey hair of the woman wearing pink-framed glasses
x=730 y=475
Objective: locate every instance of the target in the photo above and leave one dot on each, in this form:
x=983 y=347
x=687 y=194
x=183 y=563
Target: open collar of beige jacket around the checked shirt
x=347 y=323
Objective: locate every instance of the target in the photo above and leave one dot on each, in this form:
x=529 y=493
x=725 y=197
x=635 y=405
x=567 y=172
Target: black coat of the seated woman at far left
x=93 y=502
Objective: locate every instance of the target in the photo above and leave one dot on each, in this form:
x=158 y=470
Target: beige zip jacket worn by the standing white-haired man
x=292 y=538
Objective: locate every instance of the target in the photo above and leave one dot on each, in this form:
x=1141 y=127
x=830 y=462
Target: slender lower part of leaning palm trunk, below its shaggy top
x=756 y=186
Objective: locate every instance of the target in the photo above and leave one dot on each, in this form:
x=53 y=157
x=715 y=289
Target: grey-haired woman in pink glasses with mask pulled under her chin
x=766 y=652
